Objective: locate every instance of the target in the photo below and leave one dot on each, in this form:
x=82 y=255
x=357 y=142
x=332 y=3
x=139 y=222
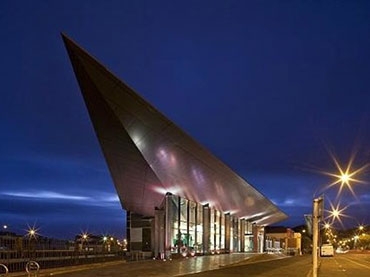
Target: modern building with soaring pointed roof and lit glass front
x=178 y=196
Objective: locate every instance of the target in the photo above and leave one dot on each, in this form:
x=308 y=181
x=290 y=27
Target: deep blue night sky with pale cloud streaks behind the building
x=270 y=87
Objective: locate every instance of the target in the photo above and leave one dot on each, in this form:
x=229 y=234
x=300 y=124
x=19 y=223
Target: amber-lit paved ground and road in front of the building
x=223 y=265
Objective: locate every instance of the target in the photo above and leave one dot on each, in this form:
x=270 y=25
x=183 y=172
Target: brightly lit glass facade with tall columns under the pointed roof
x=187 y=226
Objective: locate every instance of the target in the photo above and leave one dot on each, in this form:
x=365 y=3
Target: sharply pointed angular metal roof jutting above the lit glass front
x=148 y=155
